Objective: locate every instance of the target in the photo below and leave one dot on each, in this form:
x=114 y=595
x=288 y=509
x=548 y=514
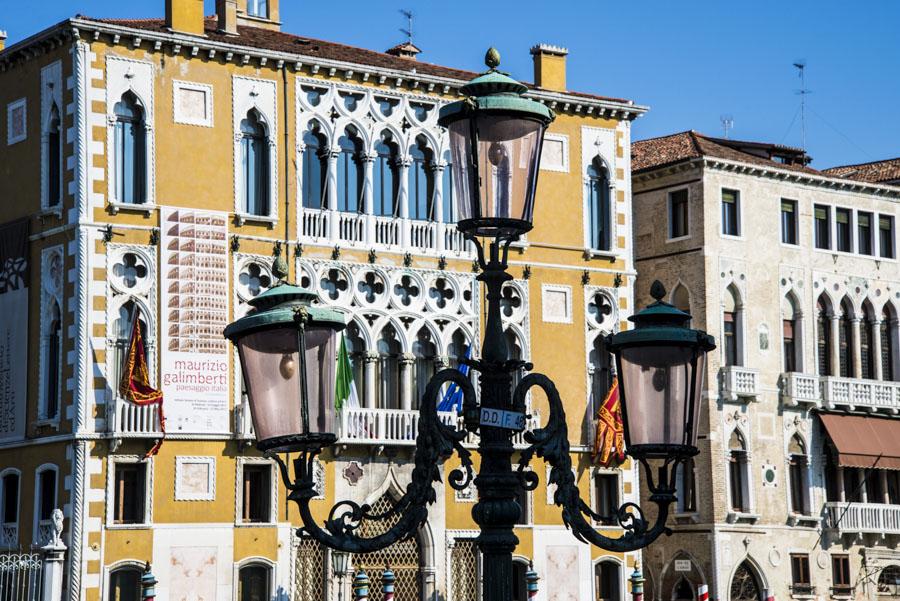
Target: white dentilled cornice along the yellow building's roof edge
x=176 y=42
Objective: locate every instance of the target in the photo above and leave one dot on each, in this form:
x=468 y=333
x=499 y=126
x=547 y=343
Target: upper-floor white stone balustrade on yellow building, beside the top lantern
x=375 y=232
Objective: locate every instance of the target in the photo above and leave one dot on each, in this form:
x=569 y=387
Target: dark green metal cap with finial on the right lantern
x=661 y=323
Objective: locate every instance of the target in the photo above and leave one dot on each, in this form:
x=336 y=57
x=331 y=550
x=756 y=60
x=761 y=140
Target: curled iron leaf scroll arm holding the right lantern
x=552 y=444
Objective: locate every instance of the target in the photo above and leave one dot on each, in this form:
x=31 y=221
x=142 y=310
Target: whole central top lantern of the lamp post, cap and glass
x=496 y=136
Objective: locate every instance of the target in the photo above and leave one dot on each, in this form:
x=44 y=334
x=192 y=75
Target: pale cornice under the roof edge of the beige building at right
x=785 y=175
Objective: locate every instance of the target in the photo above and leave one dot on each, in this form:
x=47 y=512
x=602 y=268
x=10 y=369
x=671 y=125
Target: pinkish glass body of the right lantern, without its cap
x=657 y=382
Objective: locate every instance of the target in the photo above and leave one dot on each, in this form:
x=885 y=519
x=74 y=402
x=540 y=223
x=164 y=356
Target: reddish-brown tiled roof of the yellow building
x=255 y=37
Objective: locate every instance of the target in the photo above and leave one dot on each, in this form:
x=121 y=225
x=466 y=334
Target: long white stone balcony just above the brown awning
x=834 y=392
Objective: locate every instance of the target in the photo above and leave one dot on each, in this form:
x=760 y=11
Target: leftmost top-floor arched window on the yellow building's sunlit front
x=130 y=150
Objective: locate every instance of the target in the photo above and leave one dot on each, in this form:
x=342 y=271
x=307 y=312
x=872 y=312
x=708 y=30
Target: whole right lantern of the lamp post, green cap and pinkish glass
x=661 y=365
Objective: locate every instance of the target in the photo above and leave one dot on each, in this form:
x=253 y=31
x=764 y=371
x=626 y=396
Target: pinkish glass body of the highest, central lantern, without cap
x=508 y=150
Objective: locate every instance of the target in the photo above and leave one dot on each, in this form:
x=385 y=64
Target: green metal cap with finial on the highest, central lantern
x=494 y=92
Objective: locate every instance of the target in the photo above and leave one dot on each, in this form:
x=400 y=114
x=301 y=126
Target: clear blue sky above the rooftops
x=691 y=62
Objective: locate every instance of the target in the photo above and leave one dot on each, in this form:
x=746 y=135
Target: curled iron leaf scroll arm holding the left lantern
x=435 y=443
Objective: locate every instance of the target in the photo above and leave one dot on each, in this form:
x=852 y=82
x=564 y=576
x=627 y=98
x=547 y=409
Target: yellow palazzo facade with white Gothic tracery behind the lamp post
x=156 y=167
